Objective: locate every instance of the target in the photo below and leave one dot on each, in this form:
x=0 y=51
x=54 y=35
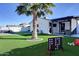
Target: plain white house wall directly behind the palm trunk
x=43 y=26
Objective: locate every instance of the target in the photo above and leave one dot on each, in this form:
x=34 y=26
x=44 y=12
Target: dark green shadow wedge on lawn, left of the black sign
x=35 y=50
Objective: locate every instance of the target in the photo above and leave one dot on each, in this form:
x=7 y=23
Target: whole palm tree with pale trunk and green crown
x=36 y=10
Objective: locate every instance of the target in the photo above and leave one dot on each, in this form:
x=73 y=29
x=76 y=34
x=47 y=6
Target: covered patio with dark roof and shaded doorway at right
x=65 y=26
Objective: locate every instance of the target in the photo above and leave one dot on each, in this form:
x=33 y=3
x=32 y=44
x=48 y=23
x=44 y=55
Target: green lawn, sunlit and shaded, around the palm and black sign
x=13 y=46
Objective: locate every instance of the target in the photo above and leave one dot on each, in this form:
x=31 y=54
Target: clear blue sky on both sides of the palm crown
x=9 y=16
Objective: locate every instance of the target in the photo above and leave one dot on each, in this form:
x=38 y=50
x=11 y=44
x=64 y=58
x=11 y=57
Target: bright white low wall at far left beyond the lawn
x=14 y=28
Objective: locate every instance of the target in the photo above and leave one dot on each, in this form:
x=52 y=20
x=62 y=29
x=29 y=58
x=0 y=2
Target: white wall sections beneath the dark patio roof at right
x=74 y=26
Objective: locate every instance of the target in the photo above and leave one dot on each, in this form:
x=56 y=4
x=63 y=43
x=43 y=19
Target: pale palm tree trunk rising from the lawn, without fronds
x=34 y=33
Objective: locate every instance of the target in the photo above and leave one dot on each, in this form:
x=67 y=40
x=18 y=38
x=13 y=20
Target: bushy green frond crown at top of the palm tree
x=40 y=8
